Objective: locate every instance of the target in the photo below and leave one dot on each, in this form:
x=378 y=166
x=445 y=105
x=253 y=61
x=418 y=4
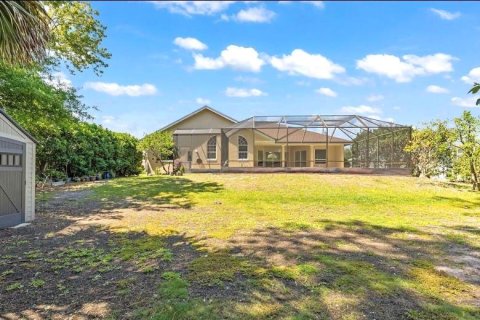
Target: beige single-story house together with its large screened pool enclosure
x=209 y=140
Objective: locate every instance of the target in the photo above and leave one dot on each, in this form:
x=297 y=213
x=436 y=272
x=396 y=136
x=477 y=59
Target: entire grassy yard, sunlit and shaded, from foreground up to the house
x=202 y=246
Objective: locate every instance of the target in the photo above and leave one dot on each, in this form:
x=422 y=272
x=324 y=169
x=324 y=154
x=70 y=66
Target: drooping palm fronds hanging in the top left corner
x=24 y=32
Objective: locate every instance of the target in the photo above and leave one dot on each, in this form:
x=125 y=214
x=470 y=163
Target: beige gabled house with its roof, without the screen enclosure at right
x=208 y=140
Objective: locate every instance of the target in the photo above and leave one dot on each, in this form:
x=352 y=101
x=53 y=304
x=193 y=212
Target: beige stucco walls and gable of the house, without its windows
x=193 y=132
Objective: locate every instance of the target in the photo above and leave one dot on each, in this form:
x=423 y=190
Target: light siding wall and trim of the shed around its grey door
x=9 y=130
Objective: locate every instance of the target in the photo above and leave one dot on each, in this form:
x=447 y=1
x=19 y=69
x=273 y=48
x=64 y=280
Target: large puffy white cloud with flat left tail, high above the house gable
x=235 y=57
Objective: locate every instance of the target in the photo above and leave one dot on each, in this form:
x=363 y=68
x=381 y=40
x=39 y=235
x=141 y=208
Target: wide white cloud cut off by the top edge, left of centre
x=189 y=8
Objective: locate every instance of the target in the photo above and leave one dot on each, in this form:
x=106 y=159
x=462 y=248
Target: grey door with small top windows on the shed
x=12 y=182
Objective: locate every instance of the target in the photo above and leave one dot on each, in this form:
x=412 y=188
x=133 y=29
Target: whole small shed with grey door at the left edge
x=17 y=173
